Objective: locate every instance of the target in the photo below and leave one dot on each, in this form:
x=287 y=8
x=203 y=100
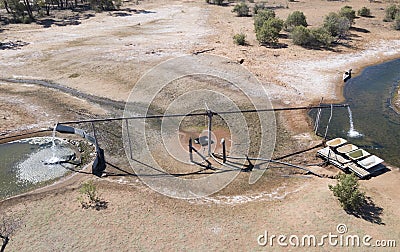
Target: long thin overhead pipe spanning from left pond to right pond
x=204 y=114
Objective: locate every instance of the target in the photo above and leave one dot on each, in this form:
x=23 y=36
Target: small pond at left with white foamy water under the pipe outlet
x=29 y=163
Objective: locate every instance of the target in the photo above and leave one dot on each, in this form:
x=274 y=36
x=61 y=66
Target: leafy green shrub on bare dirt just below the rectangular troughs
x=348 y=193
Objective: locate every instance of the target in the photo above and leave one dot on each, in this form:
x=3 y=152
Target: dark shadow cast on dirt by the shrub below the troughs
x=369 y=212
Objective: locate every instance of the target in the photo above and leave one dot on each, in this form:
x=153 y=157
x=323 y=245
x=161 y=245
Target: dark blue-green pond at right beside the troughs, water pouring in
x=371 y=123
